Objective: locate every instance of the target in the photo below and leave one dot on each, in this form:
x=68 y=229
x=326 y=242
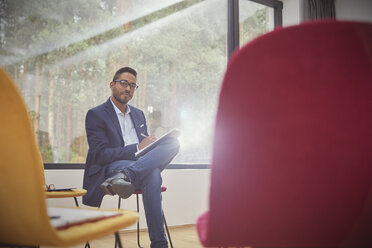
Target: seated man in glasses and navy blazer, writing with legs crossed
x=115 y=131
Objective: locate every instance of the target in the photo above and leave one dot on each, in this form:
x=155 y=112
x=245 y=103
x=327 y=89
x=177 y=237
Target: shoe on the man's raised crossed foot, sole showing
x=119 y=184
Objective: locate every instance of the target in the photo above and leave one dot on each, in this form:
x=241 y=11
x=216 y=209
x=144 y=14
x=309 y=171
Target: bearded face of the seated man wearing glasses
x=120 y=93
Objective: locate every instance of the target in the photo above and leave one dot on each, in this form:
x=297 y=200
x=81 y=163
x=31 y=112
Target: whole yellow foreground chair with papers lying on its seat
x=23 y=212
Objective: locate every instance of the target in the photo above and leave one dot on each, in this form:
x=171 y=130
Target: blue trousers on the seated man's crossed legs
x=145 y=174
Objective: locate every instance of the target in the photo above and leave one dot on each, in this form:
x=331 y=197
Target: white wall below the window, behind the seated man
x=185 y=199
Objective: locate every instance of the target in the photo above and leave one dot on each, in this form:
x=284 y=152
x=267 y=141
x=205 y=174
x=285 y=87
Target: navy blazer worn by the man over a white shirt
x=106 y=145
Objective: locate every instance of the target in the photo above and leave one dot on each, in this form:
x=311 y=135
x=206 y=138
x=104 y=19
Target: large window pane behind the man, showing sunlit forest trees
x=63 y=54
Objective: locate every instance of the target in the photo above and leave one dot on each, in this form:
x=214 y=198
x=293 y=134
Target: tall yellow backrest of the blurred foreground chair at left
x=23 y=214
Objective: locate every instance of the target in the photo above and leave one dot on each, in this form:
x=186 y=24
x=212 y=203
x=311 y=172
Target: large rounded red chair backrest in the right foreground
x=292 y=163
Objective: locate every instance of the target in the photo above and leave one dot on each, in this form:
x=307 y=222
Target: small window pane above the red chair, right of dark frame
x=254 y=19
